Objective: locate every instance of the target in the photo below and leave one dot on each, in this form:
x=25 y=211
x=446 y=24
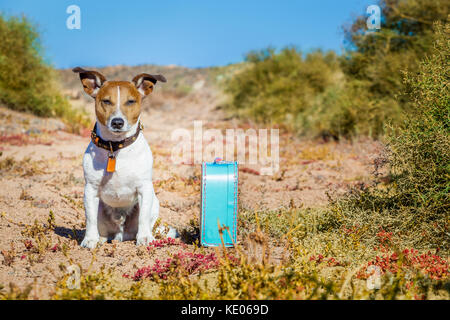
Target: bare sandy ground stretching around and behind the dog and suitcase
x=40 y=172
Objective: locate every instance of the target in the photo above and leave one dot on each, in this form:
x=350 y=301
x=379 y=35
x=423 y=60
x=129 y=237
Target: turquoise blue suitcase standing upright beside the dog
x=219 y=202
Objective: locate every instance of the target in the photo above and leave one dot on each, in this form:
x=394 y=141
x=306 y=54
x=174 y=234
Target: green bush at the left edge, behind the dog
x=27 y=83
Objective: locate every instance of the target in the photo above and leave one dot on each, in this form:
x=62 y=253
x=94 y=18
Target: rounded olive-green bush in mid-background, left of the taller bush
x=275 y=87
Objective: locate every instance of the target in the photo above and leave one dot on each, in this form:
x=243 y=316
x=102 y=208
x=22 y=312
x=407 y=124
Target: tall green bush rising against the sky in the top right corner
x=374 y=62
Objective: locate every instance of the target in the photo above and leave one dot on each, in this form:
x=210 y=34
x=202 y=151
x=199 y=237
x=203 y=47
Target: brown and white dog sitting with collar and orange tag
x=119 y=199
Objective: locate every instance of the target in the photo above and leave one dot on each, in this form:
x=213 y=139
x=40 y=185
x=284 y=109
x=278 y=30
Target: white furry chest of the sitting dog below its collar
x=133 y=168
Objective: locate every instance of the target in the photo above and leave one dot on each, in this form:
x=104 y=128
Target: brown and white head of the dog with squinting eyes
x=117 y=103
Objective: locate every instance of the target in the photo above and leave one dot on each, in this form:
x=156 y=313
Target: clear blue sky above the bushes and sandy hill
x=191 y=33
